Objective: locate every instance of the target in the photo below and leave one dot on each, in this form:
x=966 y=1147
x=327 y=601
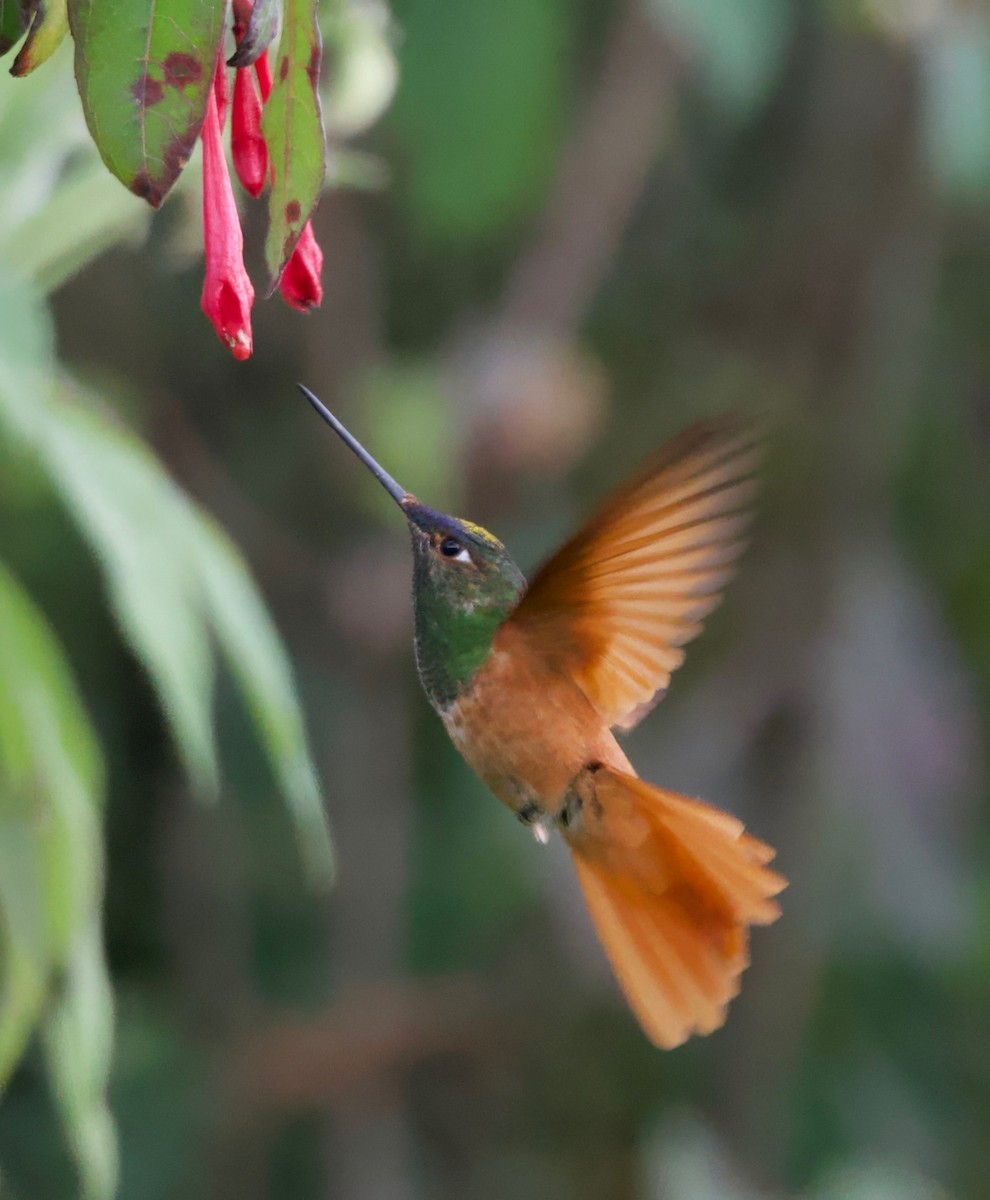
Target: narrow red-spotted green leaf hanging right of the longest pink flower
x=293 y=129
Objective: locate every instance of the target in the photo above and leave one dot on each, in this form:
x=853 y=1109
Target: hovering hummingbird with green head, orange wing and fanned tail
x=531 y=681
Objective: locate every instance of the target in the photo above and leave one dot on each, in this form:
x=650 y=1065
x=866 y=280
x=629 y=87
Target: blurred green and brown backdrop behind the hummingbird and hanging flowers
x=561 y=232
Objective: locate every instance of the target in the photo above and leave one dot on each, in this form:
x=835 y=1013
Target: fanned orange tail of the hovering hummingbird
x=673 y=905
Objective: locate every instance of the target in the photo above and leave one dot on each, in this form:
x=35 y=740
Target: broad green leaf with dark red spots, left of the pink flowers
x=145 y=69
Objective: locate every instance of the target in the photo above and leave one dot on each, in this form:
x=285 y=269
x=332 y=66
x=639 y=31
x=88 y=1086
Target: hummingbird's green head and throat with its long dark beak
x=465 y=584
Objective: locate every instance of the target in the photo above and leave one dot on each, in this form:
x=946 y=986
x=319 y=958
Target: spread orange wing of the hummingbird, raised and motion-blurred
x=617 y=603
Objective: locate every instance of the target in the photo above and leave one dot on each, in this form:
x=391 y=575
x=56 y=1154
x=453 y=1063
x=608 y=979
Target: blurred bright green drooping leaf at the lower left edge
x=52 y=881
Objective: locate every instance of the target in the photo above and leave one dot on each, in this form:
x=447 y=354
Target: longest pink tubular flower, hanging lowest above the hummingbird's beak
x=227 y=291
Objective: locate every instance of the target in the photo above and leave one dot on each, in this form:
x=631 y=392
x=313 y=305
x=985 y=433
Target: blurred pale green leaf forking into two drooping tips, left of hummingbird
x=176 y=583
